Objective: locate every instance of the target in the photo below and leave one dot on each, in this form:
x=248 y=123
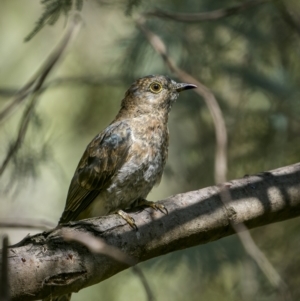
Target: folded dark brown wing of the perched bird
x=106 y=153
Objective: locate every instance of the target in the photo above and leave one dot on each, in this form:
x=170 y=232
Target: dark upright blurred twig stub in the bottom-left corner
x=4 y=284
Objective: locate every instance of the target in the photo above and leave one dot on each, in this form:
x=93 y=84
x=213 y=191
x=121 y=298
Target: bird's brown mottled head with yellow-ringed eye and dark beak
x=153 y=92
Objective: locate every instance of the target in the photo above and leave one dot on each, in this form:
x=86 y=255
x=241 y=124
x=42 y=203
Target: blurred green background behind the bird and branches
x=250 y=60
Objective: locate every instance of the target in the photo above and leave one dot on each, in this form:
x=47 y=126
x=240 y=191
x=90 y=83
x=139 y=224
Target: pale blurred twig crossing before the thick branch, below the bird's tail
x=99 y=246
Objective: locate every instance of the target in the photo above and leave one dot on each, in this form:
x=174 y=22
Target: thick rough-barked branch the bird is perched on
x=46 y=263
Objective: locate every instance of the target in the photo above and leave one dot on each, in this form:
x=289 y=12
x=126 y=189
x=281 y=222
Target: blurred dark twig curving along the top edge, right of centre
x=207 y=16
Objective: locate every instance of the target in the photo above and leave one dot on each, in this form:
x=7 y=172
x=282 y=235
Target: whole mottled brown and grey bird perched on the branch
x=121 y=165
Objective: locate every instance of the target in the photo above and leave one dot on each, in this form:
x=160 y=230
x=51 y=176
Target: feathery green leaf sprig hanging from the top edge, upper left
x=52 y=11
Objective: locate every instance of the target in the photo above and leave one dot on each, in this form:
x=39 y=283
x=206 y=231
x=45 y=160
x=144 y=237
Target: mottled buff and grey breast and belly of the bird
x=142 y=169
